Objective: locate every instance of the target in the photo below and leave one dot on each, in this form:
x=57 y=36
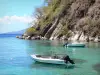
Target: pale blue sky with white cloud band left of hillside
x=17 y=15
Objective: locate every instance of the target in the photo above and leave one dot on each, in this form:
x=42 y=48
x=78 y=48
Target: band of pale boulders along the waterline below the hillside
x=74 y=37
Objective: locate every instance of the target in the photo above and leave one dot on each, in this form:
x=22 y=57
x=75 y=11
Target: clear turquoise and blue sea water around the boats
x=15 y=58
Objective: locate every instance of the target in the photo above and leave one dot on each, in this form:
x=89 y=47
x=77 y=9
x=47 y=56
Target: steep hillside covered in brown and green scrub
x=69 y=19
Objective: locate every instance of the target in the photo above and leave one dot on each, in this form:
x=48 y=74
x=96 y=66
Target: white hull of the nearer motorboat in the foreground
x=48 y=60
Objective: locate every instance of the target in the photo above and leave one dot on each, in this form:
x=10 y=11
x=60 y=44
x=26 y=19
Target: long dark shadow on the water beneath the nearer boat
x=39 y=65
